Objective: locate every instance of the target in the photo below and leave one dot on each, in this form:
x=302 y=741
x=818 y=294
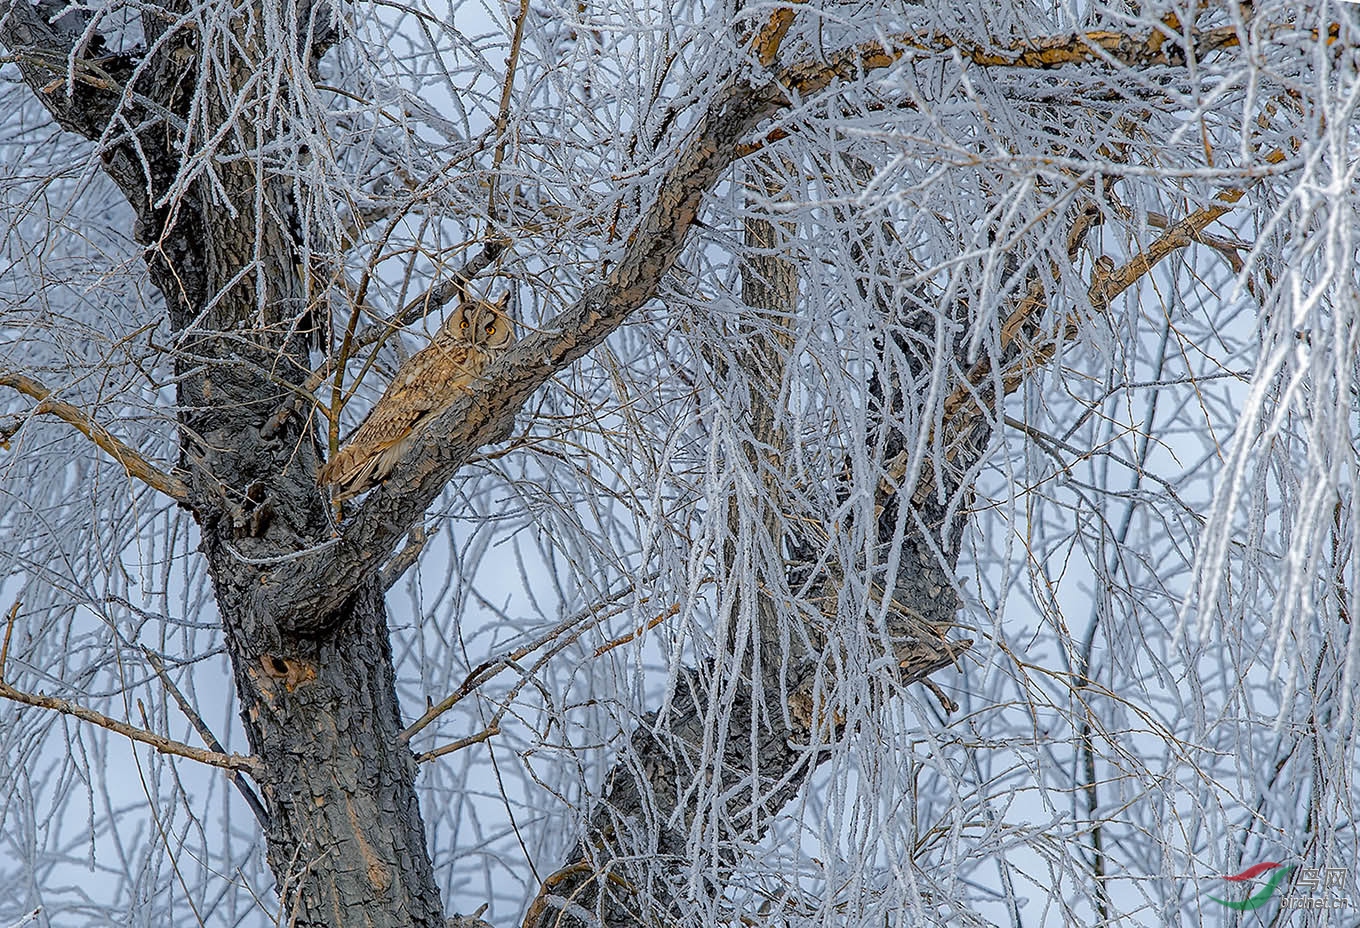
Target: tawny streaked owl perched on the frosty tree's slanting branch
x=475 y=335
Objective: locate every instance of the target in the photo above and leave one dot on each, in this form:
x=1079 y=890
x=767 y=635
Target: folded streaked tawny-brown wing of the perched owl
x=424 y=388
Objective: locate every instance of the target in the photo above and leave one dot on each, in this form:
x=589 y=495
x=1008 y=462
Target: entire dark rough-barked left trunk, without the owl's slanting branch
x=346 y=840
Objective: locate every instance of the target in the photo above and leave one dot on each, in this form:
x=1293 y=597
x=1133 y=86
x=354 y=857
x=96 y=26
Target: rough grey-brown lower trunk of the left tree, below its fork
x=347 y=843
